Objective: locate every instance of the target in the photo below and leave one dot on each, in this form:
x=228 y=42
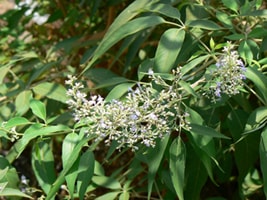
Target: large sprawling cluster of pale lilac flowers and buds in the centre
x=144 y=115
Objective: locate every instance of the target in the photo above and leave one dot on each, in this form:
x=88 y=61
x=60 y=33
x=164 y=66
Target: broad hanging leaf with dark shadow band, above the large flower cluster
x=170 y=45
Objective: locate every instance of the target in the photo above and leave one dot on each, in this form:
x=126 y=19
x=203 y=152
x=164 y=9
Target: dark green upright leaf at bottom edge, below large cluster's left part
x=86 y=171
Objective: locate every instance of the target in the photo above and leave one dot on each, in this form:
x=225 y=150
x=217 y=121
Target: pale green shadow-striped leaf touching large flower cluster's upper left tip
x=51 y=90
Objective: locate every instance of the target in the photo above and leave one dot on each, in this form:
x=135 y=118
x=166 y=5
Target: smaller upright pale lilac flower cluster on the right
x=227 y=76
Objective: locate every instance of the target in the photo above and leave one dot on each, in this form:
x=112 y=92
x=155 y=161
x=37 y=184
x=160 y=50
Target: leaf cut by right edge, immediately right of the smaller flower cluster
x=260 y=82
